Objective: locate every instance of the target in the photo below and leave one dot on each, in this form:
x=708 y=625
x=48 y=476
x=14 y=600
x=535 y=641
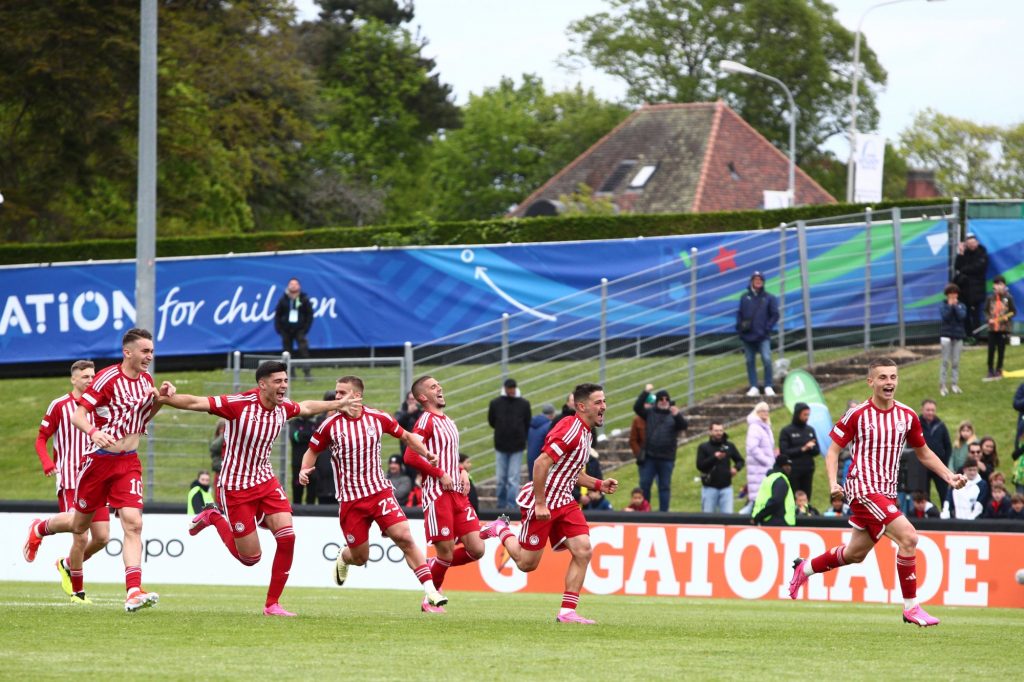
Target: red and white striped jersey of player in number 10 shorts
x=123 y=406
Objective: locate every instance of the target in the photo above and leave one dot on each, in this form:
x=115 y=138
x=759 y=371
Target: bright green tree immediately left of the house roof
x=514 y=140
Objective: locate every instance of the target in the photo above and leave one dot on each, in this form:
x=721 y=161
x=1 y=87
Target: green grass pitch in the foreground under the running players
x=220 y=633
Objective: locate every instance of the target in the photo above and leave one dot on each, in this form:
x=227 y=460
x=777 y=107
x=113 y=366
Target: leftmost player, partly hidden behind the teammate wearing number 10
x=69 y=452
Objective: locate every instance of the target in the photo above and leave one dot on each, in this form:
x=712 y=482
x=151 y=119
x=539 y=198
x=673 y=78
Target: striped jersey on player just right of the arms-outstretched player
x=356 y=451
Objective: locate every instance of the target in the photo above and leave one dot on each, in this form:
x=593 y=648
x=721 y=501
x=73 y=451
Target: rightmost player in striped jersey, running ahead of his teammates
x=876 y=432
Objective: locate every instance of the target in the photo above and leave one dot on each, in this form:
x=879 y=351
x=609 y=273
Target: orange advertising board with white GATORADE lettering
x=754 y=563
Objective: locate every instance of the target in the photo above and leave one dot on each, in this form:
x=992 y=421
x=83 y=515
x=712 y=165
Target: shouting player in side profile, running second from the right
x=549 y=513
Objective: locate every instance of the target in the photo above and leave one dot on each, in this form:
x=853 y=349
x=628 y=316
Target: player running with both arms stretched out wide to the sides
x=248 y=491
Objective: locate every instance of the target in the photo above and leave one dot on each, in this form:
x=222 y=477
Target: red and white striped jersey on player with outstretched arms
x=249 y=437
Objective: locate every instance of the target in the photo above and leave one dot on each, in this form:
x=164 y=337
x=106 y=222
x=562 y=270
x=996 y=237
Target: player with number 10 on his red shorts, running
x=121 y=402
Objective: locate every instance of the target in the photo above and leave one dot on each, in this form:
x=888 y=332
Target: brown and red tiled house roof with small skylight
x=705 y=158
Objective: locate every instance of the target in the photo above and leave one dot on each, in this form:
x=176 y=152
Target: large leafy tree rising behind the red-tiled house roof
x=668 y=51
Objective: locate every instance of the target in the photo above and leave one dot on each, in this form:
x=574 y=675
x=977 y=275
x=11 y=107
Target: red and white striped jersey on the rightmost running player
x=878 y=438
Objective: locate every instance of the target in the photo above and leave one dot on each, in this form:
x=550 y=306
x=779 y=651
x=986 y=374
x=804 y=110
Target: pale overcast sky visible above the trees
x=962 y=58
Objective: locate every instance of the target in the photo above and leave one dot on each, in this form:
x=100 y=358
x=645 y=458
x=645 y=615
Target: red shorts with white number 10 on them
x=108 y=479
